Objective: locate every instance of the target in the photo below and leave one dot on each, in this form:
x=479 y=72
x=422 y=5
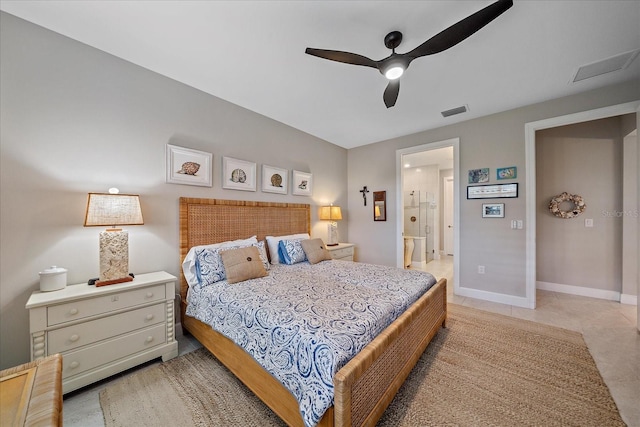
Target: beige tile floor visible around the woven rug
x=608 y=328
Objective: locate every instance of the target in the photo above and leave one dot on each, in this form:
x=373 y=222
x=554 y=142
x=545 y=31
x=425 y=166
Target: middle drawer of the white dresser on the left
x=70 y=337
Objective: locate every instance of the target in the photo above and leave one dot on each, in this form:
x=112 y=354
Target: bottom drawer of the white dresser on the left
x=85 y=359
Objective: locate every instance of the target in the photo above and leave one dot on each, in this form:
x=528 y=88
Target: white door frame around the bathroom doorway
x=455 y=143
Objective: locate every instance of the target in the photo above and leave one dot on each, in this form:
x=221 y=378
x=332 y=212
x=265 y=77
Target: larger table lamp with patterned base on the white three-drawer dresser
x=113 y=209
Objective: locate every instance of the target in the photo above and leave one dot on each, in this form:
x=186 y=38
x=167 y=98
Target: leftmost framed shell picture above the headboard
x=189 y=167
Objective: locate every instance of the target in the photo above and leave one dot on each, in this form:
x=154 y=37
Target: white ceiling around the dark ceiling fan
x=251 y=53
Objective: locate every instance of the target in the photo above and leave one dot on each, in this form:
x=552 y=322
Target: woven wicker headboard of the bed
x=206 y=221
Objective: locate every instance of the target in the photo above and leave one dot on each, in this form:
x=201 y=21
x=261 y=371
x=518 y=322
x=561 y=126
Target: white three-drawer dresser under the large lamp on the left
x=101 y=331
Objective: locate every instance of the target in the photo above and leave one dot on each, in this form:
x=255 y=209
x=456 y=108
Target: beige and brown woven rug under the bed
x=484 y=369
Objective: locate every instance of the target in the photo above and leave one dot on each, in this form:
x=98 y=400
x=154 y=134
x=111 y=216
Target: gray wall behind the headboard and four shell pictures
x=76 y=120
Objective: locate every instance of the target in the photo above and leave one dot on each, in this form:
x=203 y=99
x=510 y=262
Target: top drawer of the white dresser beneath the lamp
x=75 y=310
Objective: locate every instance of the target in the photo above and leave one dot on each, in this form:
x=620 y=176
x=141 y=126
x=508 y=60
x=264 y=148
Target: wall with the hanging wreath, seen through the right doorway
x=584 y=159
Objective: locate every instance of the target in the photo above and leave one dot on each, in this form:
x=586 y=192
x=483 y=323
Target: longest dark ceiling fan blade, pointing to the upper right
x=461 y=30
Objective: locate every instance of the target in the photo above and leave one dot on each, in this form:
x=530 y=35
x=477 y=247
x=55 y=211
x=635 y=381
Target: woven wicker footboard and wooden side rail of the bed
x=365 y=386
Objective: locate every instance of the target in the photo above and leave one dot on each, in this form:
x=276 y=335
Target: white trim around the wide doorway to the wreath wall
x=530 y=156
